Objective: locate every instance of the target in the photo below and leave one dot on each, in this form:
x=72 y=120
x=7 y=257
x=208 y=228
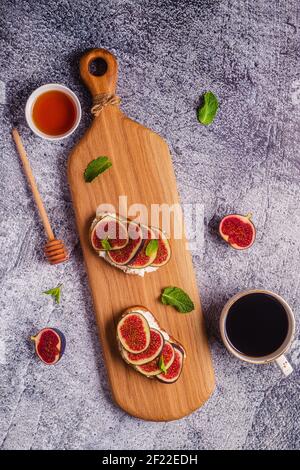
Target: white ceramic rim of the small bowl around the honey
x=39 y=91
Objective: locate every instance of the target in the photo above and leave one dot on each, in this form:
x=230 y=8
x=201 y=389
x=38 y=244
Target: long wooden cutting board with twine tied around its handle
x=142 y=170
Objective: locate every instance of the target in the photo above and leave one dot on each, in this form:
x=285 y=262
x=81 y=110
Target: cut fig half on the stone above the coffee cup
x=238 y=231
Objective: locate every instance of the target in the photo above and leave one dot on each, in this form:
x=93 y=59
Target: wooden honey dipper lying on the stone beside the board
x=55 y=250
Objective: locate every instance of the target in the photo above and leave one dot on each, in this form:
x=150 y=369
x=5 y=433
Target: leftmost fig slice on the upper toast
x=109 y=233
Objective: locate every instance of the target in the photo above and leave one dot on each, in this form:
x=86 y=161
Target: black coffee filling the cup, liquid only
x=256 y=325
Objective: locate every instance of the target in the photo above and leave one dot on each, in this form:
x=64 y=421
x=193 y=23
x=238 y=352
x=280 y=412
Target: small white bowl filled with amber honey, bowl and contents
x=53 y=111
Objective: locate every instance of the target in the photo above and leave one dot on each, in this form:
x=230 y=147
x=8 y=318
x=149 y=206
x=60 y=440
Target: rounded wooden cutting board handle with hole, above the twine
x=107 y=81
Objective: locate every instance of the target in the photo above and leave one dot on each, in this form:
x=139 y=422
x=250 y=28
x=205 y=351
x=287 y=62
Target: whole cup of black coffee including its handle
x=258 y=326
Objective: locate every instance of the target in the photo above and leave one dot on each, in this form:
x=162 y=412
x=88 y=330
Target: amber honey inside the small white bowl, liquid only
x=54 y=113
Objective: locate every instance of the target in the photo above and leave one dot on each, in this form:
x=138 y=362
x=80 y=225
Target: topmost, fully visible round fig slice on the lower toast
x=133 y=332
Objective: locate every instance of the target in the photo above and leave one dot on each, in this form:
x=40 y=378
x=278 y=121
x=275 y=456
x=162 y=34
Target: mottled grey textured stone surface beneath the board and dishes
x=169 y=53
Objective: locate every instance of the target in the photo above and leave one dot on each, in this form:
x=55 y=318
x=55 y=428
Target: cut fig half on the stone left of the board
x=50 y=345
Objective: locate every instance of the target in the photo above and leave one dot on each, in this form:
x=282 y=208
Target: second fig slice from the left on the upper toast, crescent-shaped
x=124 y=255
